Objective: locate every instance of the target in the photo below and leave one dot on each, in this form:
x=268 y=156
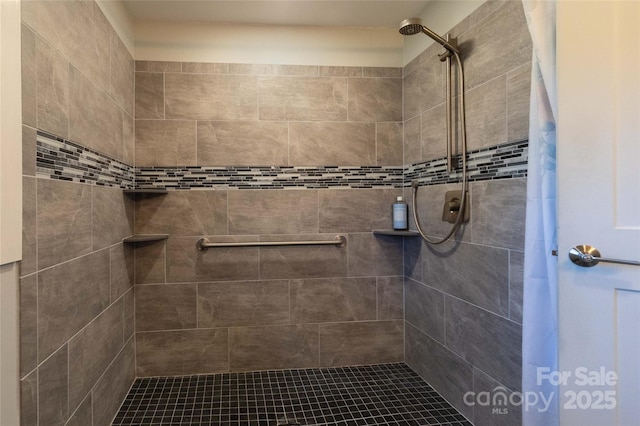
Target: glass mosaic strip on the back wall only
x=269 y=177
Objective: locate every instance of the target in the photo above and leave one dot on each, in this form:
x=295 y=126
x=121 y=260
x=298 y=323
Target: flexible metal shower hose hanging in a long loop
x=463 y=139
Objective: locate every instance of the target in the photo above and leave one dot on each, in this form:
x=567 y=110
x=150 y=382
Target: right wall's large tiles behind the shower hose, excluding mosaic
x=463 y=299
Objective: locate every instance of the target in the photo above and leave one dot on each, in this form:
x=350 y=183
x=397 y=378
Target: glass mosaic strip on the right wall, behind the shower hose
x=497 y=162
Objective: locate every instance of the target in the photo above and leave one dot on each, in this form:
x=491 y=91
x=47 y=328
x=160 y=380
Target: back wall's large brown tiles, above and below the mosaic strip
x=271 y=307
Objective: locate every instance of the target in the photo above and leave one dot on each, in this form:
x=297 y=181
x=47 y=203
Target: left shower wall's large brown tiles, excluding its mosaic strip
x=76 y=304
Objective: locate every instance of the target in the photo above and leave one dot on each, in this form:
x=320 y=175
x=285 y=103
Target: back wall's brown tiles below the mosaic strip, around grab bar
x=269 y=307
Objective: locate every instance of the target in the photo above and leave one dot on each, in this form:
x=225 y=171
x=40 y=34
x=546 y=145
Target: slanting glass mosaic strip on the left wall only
x=61 y=159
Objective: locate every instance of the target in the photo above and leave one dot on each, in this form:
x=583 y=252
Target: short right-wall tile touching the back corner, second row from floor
x=424 y=309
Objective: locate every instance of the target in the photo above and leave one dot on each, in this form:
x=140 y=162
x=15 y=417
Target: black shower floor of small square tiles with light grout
x=384 y=394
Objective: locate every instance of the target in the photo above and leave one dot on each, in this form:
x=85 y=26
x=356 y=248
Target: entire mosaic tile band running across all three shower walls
x=61 y=159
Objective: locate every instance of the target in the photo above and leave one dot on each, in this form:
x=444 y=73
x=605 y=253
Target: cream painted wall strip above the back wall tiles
x=256 y=44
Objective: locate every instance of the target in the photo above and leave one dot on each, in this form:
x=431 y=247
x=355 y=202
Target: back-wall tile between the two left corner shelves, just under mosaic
x=182 y=213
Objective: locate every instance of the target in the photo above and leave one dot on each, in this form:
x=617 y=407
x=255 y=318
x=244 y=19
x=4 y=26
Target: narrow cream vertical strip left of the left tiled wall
x=10 y=207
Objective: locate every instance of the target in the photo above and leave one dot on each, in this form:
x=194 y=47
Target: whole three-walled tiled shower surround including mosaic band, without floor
x=260 y=152
